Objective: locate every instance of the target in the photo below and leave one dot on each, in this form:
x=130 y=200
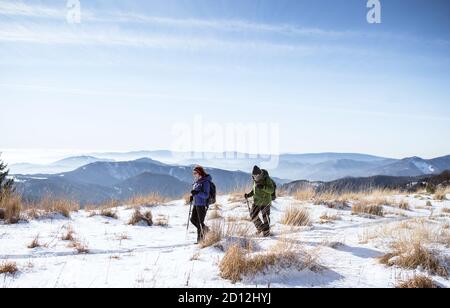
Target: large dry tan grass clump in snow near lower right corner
x=412 y=256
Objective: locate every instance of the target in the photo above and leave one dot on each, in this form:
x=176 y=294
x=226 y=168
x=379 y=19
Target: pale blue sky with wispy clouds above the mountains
x=131 y=70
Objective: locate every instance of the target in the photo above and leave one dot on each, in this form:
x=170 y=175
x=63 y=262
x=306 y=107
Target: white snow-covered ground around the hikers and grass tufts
x=121 y=255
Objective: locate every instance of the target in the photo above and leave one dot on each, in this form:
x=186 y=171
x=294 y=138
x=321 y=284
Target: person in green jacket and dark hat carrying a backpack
x=263 y=190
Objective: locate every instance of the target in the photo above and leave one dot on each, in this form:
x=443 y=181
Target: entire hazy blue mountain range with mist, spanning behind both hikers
x=92 y=179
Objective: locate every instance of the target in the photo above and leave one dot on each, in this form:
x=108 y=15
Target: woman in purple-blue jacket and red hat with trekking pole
x=200 y=195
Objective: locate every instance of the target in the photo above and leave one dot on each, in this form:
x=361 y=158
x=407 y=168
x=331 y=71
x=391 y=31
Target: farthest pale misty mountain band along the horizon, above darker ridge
x=311 y=167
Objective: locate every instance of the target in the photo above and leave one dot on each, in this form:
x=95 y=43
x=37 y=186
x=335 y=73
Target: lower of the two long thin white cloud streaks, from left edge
x=32 y=33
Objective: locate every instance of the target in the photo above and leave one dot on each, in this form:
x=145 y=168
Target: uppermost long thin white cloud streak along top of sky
x=223 y=25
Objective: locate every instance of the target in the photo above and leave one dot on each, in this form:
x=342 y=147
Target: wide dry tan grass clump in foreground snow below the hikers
x=237 y=263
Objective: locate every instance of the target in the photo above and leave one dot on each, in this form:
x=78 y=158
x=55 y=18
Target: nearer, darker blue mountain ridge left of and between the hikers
x=102 y=181
